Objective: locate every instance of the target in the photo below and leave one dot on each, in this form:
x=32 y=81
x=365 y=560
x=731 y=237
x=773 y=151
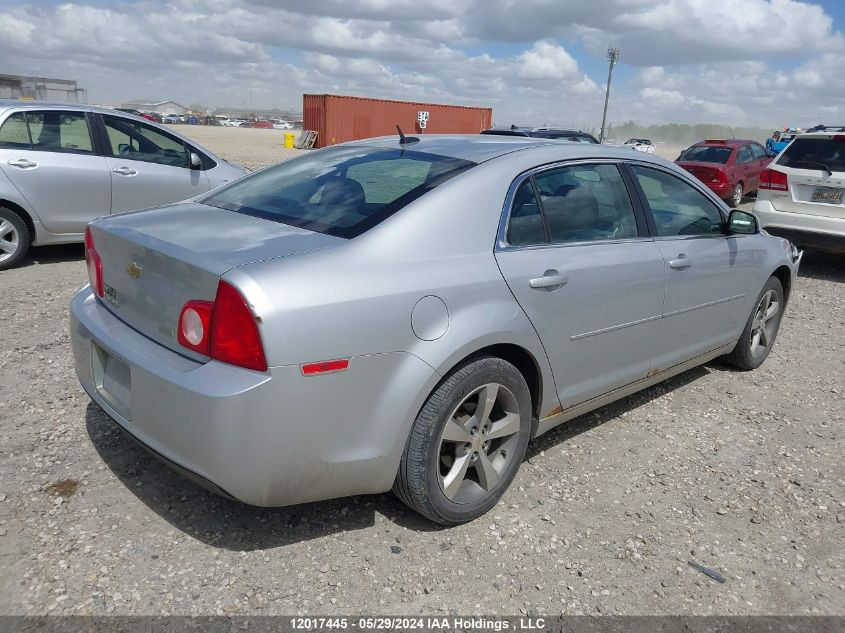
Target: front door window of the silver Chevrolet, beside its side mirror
x=677 y=207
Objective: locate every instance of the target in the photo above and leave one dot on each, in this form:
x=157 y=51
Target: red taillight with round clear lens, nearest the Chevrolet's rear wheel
x=224 y=329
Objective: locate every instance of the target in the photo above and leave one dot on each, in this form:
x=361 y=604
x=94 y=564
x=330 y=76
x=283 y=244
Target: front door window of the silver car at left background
x=134 y=140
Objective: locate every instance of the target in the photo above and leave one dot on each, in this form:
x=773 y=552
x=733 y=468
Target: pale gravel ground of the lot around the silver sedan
x=740 y=472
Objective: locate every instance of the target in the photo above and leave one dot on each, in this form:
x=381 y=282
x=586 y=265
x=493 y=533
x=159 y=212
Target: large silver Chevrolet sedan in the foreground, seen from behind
x=408 y=314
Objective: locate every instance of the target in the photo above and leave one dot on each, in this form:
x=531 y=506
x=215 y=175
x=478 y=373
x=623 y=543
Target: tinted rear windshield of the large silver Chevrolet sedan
x=342 y=191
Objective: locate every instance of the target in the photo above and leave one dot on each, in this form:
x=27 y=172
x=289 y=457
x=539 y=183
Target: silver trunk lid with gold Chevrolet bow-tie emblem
x=155 y=261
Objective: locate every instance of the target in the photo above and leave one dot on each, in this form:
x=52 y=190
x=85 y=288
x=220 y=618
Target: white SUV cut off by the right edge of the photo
x=802 y=193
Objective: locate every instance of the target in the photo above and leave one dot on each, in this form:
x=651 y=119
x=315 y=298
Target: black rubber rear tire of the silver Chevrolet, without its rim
x=418 y=482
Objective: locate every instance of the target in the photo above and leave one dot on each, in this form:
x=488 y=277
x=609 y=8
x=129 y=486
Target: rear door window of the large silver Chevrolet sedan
x=586 y=203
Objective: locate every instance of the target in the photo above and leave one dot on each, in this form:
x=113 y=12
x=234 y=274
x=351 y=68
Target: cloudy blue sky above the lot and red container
x=763 y=63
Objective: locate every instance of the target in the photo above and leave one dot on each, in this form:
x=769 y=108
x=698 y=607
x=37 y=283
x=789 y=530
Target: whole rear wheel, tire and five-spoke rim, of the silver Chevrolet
x=467 y=442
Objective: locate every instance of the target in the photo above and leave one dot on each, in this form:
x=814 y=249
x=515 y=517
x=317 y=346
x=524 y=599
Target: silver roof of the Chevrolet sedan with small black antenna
x=479 y=148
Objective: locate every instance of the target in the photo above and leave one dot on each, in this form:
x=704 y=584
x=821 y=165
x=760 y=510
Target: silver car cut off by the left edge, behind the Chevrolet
x=62 y=165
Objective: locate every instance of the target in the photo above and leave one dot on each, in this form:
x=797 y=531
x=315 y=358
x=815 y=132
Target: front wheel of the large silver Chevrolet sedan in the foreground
x=761 y=329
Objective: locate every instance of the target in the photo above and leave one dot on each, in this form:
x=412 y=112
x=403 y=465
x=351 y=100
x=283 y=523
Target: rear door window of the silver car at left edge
x=50 y=131
